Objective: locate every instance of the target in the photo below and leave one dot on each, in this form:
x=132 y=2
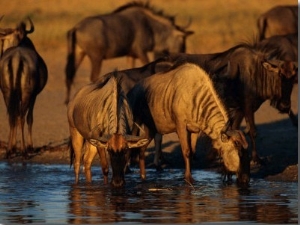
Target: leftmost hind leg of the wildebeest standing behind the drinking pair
x=73 y=63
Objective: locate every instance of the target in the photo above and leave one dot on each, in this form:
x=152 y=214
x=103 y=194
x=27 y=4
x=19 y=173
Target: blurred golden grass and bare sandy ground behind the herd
x=218 y=25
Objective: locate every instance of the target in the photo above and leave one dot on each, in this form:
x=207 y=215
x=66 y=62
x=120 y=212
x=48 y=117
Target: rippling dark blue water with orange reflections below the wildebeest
x=46 y=194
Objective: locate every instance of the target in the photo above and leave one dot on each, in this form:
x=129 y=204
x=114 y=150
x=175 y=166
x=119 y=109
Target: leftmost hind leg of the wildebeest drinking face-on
x=77 y=143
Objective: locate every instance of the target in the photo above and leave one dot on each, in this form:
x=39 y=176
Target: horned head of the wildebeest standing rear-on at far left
x=11 y=37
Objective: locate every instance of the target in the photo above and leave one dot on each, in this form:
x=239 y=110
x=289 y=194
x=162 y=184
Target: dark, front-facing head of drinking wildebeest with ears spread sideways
x=117 y=146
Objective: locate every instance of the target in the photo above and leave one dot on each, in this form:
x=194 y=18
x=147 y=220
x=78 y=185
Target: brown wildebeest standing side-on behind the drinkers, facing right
x=133 y=29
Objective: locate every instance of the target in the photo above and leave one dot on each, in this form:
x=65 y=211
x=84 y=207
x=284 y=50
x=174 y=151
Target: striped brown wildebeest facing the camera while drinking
x=100 y=117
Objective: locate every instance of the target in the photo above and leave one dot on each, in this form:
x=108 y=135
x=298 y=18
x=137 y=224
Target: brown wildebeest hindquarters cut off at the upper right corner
x=279 y=20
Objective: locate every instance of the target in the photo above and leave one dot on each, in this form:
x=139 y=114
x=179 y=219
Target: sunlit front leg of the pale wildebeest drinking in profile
x=185 y=142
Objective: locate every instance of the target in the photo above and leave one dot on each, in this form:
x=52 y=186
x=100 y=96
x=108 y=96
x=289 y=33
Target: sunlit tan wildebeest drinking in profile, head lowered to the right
x=184 y=100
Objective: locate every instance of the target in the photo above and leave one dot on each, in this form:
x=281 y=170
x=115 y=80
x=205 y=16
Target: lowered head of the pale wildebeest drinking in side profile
x=235 y=155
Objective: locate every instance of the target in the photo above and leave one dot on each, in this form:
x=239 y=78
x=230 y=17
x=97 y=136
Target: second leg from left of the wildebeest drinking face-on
x=88 y=159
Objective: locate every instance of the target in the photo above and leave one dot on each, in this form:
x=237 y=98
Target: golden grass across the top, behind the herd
x=218 y=24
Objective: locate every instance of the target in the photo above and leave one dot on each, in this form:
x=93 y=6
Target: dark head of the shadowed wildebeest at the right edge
x=286 y=72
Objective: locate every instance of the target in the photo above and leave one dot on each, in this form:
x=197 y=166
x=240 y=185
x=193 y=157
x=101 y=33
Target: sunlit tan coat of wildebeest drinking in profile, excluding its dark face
x=184 y=100
